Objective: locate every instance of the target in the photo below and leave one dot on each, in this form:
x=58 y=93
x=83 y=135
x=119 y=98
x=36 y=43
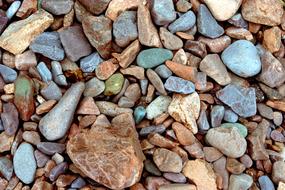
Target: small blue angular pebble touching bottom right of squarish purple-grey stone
x=89 y=63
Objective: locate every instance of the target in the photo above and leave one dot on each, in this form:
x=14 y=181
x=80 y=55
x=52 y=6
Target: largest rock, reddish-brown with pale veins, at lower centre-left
x=112 y=156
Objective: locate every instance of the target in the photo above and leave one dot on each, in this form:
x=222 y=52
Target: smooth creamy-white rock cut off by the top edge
x=223 y=10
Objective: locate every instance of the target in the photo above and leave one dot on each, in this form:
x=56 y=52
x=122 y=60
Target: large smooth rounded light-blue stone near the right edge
x=242 y=58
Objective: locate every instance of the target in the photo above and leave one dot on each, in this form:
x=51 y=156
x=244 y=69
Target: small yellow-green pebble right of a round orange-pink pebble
x=114 y=84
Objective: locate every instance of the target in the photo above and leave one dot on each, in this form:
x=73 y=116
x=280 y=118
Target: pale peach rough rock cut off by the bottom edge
x=201 y=173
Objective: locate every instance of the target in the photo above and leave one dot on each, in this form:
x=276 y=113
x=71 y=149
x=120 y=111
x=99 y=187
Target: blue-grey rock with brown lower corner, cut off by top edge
x=163 y=12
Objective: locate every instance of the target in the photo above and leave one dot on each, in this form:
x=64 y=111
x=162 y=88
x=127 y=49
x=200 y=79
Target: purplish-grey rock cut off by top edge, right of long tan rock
x=56 y=7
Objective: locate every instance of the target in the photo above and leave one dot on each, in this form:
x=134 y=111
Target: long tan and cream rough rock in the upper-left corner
x=18 y=35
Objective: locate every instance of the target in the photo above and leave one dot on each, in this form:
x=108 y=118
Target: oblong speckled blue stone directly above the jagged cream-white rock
x=179 y=85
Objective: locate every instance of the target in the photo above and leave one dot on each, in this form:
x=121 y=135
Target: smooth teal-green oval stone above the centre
x=153 y=57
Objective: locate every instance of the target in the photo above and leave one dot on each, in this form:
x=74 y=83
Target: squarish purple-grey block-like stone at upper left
x=75 y=43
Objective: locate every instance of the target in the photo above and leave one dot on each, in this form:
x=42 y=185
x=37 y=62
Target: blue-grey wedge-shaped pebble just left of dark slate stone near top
x=183 y=23
